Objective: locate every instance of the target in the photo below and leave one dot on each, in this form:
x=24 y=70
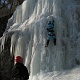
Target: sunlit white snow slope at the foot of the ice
x=73 y=74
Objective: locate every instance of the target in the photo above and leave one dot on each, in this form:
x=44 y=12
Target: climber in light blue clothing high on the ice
x=51 y=33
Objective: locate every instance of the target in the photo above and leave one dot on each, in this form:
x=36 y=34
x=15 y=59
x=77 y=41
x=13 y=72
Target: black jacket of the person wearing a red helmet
x=20 y=71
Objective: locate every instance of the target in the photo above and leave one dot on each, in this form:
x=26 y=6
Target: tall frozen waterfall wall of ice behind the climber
x=27 y=29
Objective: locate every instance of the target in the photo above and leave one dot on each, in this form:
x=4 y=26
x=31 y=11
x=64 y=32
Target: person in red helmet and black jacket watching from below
x=19 y=71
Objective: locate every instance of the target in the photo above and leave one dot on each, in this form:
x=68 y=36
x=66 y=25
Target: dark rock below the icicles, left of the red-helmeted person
x=6 y=62
